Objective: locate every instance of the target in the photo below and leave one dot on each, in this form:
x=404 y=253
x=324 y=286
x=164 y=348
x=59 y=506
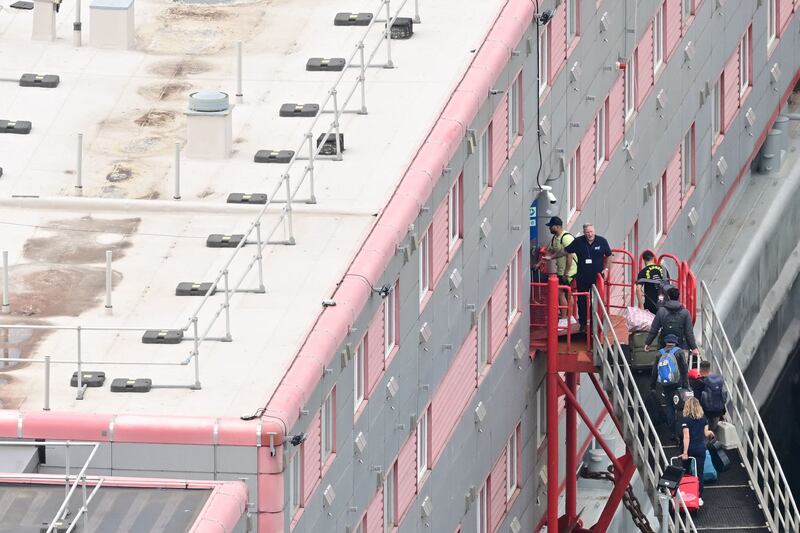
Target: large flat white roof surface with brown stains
x=129 y=106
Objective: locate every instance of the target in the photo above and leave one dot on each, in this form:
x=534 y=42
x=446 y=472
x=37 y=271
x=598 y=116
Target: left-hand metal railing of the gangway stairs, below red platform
x=638 y=430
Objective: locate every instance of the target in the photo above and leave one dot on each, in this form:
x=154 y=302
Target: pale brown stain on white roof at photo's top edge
x=201 y=28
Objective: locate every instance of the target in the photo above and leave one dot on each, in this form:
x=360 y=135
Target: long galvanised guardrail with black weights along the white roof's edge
x=288 y=186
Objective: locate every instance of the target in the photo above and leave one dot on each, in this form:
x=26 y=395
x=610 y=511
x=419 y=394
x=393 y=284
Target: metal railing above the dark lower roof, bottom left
x=71 y=484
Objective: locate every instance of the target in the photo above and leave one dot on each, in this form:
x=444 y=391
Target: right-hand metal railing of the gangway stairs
x=758 y=455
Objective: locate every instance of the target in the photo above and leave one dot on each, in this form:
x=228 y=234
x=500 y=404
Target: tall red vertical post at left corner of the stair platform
x=552 y=404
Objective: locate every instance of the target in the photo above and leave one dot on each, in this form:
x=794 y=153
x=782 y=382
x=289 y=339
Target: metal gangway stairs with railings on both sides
x=753 y=495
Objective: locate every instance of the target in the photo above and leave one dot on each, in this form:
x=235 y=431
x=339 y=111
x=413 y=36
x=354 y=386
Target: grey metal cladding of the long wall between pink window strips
x=509 y=390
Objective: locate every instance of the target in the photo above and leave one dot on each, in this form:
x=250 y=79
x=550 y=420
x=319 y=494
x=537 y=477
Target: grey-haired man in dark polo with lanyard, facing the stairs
x=591 y=251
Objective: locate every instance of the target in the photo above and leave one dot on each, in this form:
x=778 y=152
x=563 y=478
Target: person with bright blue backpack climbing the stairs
x=670 y=374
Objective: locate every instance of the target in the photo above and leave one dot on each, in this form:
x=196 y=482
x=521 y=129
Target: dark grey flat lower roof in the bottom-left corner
x=25 y=508
